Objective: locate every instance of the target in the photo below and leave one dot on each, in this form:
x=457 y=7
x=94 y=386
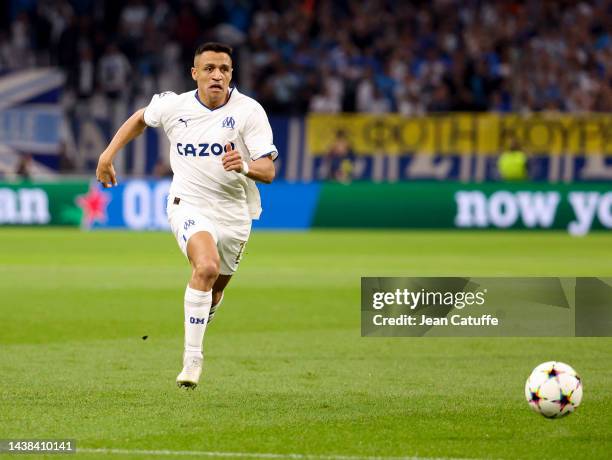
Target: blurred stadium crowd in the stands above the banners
x=330 y=56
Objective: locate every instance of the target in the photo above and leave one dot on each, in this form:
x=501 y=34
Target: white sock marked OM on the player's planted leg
x=197 y=309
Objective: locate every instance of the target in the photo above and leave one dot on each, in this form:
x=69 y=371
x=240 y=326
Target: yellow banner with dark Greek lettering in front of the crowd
x=464 y=133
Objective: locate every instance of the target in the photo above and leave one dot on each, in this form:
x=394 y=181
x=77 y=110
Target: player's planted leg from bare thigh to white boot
x=204 y=258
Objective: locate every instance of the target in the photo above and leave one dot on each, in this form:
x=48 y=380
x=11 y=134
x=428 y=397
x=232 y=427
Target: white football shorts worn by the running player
x=186 y=221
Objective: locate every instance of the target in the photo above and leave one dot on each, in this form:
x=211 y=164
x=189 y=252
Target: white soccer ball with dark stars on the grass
x=553 y=389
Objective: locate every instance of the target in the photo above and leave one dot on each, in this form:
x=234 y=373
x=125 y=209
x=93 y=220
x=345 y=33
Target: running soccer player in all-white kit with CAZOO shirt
x=220 y=144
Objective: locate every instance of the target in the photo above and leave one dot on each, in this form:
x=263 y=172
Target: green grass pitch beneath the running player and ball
x=286 y=369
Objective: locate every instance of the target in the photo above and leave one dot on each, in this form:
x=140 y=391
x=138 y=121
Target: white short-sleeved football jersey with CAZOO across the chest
x=198 y=136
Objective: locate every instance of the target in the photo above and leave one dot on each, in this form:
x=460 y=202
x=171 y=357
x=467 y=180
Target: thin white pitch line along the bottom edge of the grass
x=200 y=453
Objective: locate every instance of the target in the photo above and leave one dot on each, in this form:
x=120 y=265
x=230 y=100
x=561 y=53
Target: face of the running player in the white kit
x=213 y=73
